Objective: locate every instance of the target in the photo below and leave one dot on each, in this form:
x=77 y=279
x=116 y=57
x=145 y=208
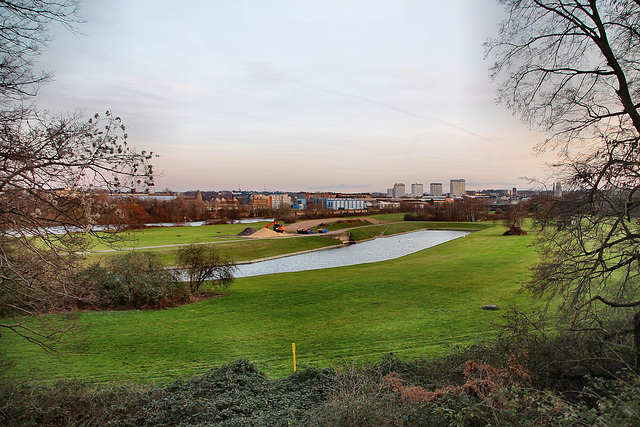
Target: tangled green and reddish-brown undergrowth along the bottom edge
x=477 y=386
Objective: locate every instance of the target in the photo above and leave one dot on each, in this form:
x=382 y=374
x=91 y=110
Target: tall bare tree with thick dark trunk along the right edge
x=572 y=68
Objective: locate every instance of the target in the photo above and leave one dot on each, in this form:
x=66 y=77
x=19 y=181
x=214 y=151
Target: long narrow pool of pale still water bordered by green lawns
x=380 y=249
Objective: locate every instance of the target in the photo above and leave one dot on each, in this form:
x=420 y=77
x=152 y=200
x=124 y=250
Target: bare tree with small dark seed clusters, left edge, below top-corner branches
x=52 y=174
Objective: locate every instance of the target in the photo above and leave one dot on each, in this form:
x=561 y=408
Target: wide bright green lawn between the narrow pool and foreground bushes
x=417 y=305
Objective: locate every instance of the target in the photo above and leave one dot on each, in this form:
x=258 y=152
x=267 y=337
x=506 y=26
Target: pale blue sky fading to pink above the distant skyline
x=297 y=95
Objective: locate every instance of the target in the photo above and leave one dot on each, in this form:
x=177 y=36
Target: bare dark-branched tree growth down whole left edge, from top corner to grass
x=56 y=172
